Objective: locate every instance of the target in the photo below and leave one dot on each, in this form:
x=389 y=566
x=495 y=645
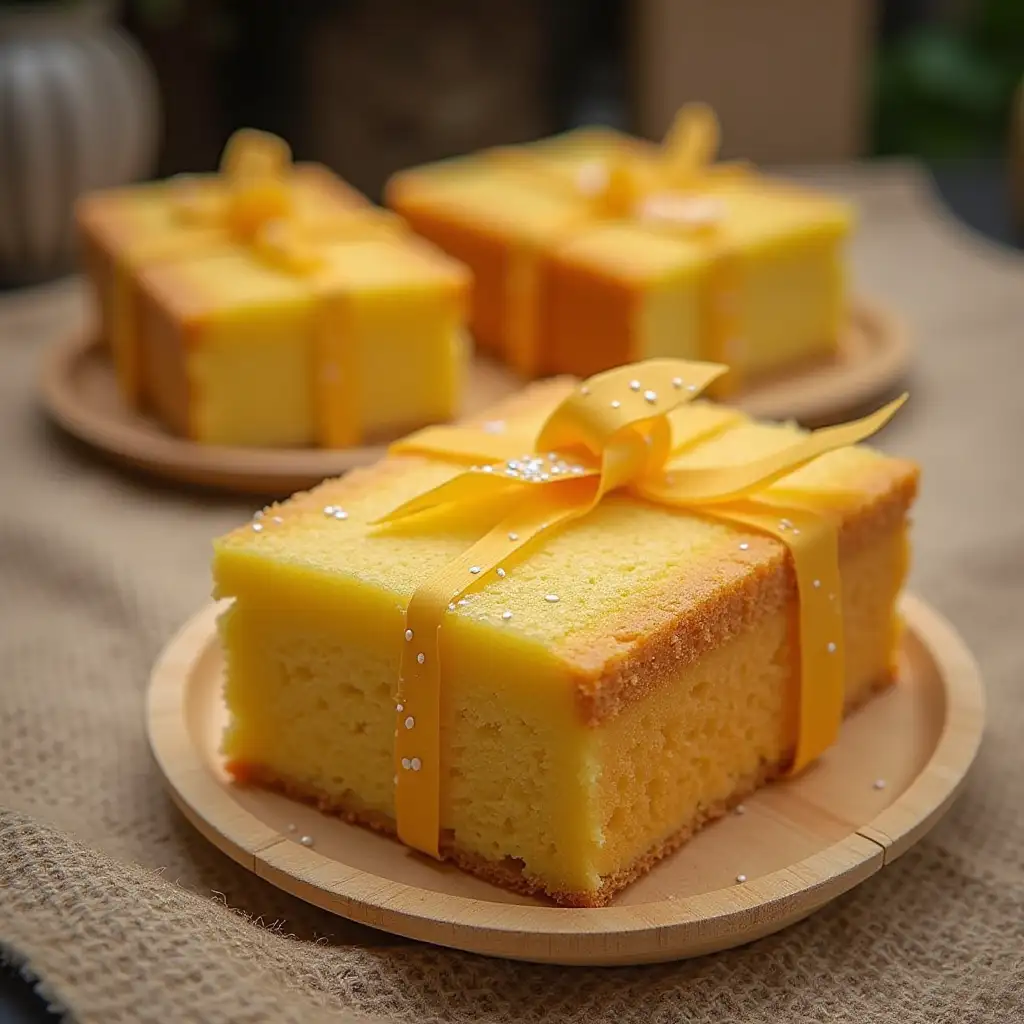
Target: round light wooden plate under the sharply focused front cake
x=800 y=844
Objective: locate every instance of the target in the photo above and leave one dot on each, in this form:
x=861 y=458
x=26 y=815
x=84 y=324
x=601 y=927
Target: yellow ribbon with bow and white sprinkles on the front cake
x=628 y=429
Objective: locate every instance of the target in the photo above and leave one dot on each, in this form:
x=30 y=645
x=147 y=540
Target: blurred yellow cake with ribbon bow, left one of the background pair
x=272 y=305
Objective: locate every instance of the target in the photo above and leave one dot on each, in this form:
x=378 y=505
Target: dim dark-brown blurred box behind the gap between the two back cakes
x=395 y=83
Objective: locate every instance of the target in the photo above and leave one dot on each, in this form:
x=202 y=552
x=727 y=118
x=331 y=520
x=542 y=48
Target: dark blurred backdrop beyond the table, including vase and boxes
x=370 y=87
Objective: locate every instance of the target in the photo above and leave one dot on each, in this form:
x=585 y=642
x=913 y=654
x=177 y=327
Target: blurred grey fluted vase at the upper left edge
x=78 y=111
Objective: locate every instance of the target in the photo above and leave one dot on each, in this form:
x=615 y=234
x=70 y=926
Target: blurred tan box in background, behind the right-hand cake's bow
x=790 y=79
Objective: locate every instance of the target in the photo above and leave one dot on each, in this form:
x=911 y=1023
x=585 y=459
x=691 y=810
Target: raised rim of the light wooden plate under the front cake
x=657 y=931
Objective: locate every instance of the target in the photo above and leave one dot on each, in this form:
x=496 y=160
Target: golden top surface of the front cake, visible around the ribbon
x=584 y=594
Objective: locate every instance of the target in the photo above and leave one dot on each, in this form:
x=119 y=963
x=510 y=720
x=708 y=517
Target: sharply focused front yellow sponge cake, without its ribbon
x=632 y=675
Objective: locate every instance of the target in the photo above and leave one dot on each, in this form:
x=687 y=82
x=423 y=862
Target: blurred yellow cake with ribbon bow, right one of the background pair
x=594 y=249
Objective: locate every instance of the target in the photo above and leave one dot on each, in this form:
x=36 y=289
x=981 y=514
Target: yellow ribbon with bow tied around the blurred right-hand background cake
x=668 y=193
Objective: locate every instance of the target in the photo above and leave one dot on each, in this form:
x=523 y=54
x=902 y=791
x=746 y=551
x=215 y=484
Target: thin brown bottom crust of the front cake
x=510 y=874
